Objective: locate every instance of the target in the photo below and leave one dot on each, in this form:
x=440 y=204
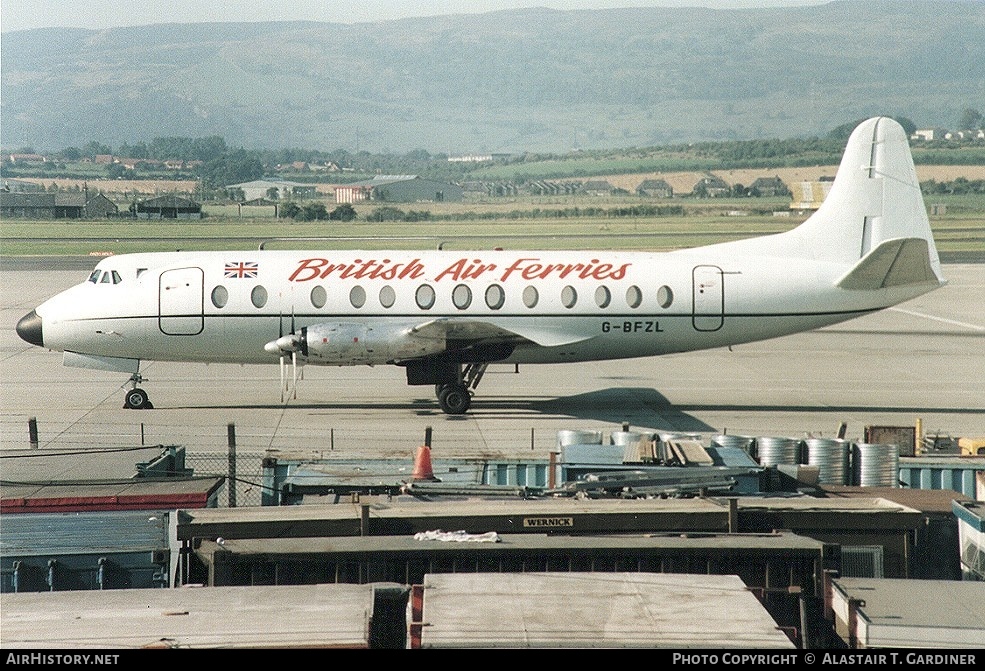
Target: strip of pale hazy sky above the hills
x=26 y=14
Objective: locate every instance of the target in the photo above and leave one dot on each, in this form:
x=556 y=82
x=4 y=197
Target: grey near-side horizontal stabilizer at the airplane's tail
x=894 y=263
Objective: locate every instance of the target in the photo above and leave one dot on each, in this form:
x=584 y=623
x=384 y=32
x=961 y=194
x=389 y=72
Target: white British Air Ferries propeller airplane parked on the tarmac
x=444 y=316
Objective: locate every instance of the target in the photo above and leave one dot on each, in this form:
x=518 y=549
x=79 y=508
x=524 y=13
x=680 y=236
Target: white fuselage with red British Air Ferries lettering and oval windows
x=568 y=306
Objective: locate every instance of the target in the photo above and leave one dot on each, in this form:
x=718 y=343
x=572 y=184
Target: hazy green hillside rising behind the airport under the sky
x=509 y=81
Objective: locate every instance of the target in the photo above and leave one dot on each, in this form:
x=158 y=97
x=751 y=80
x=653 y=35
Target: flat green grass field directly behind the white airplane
x=959 y=232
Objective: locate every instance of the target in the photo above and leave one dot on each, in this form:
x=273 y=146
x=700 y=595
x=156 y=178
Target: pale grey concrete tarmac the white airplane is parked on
x=924 y=360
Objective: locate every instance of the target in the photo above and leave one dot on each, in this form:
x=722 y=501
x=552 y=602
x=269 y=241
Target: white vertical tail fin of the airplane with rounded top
x=874 y=199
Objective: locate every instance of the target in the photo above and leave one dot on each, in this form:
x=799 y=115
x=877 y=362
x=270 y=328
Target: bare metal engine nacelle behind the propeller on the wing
x=346 y=343
